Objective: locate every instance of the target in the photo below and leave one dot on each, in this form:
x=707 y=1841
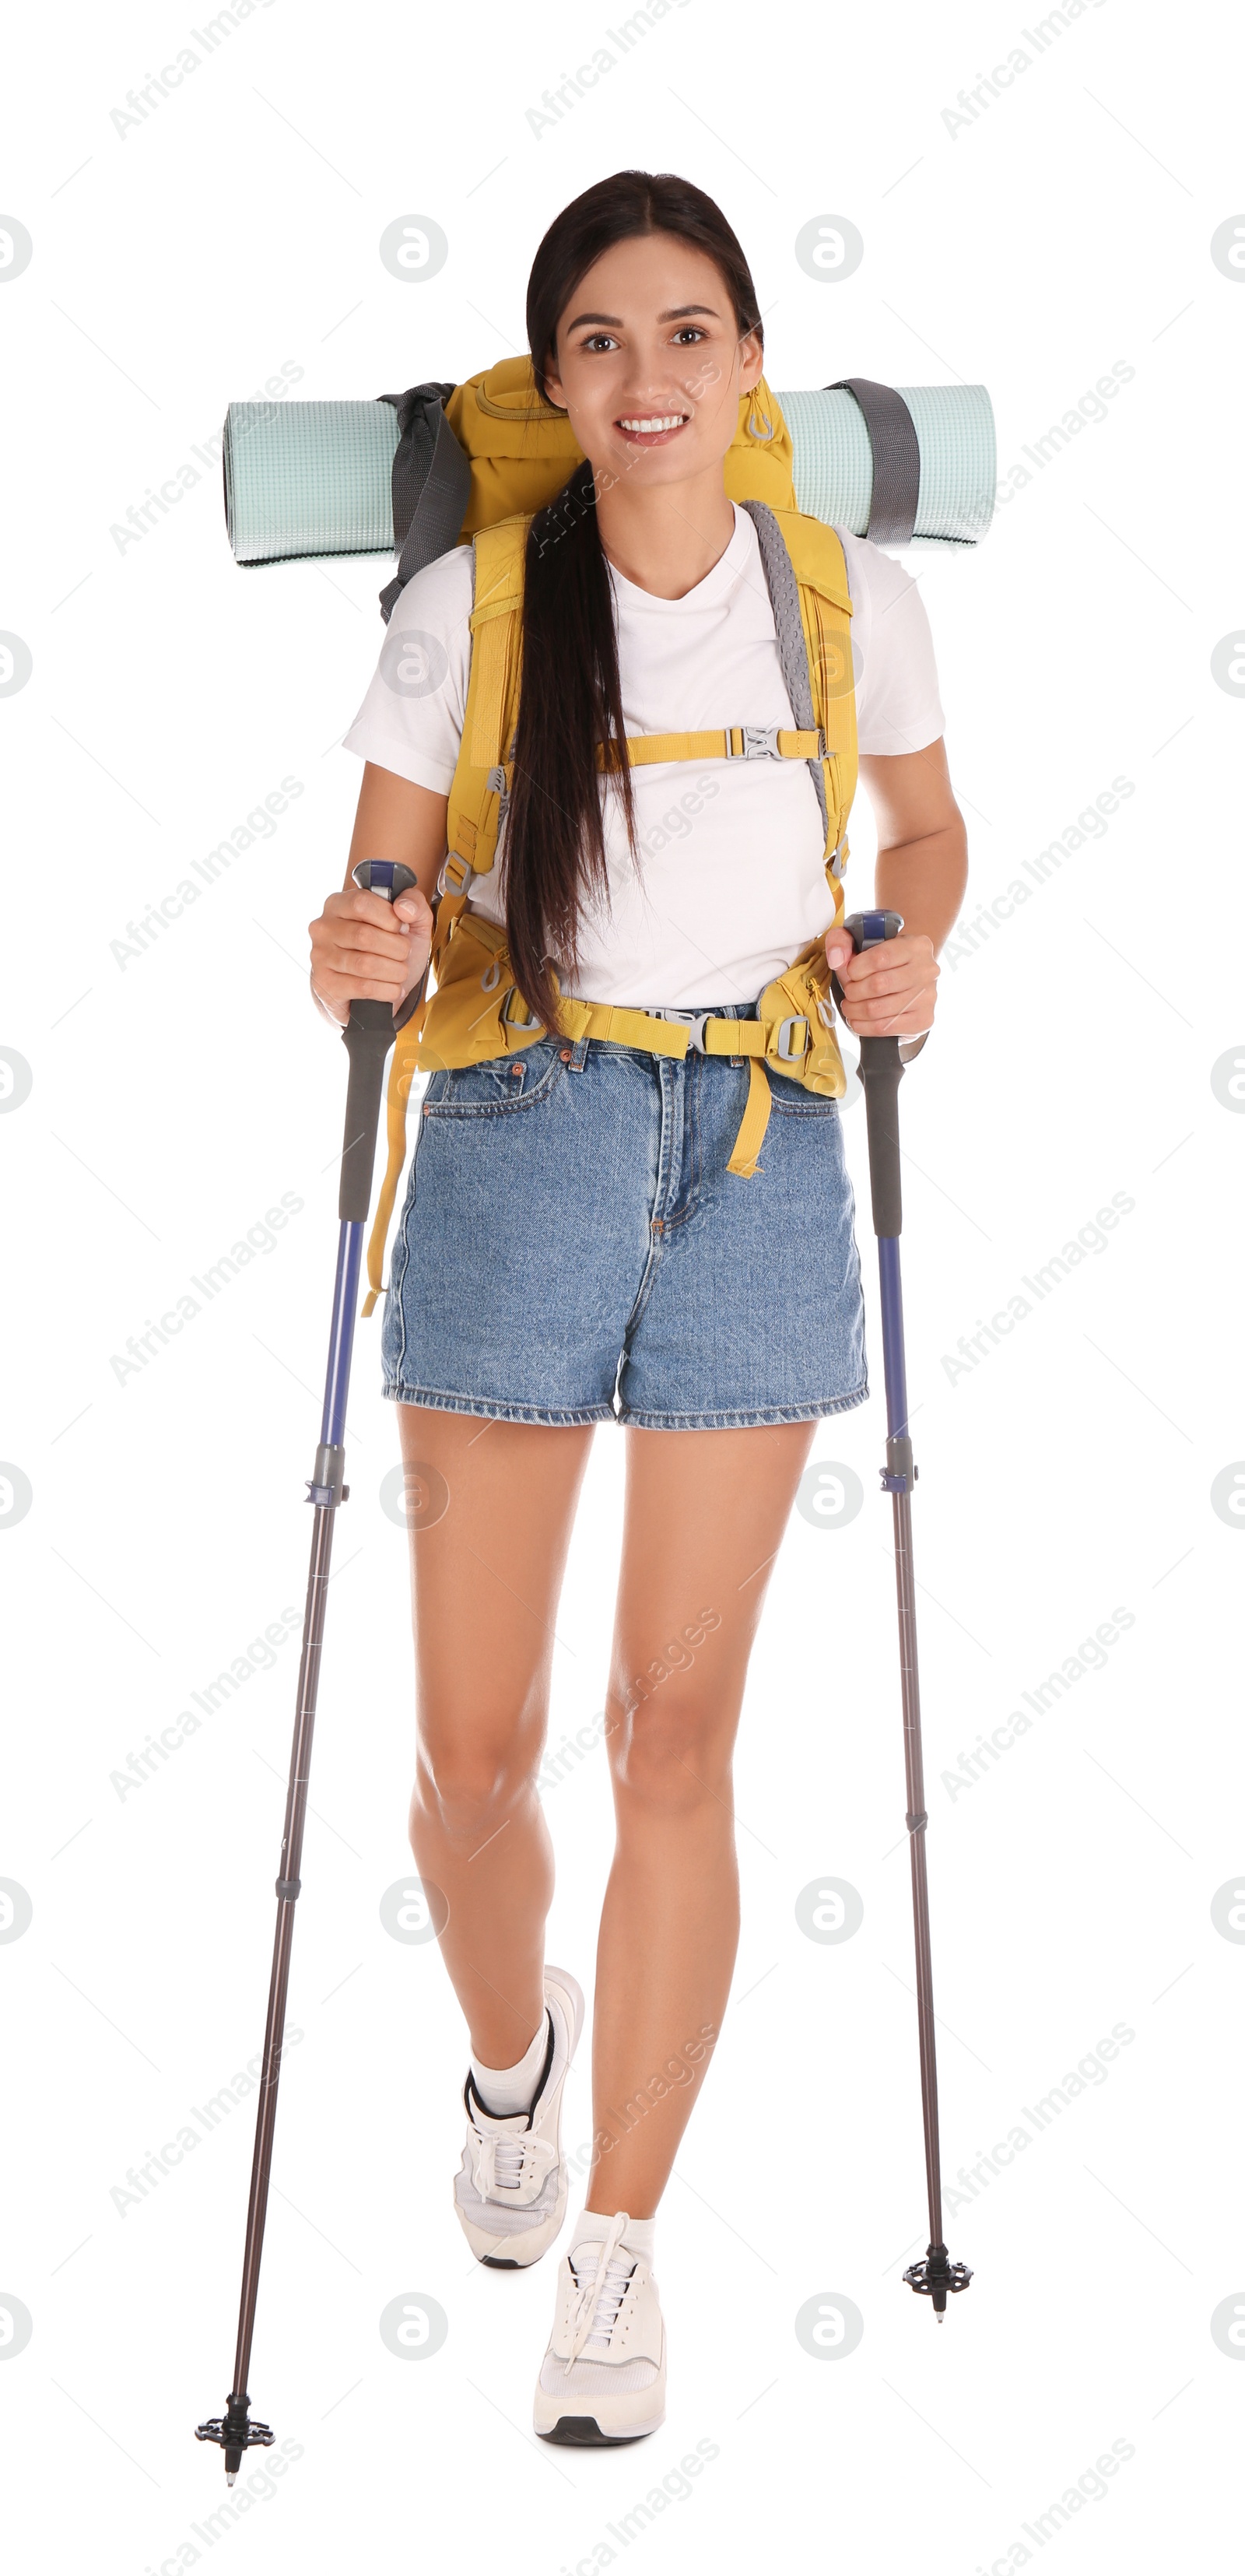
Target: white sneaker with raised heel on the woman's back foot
x=512 y=2188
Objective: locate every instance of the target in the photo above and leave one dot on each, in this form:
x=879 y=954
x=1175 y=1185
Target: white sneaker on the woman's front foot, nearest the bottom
x=604 y=2374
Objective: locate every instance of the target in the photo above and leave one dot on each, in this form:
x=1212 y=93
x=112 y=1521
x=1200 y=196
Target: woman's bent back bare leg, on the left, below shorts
x=486 y=1583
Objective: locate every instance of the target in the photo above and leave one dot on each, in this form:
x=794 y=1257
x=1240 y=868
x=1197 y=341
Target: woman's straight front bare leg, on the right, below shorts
x=705 y=1516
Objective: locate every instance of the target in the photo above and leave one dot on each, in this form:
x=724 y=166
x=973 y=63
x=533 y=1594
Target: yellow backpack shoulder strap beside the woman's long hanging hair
x=478 y=792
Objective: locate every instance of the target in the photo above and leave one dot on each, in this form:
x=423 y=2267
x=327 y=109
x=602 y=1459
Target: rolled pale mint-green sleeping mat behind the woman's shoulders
x=903 y=465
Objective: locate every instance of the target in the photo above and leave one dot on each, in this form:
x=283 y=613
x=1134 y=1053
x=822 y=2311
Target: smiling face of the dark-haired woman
x=651 y=365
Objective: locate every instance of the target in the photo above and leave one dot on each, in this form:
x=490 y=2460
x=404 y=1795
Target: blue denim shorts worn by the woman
x=576 y=1251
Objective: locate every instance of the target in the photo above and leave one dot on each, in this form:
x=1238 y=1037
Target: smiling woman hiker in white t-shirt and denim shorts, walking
x=617 y=1217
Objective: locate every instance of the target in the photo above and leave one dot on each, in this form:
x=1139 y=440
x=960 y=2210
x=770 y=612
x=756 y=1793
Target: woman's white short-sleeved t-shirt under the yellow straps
x=731 y=880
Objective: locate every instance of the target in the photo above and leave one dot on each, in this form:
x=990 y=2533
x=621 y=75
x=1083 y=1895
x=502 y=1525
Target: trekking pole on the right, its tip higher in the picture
x=880 y=1078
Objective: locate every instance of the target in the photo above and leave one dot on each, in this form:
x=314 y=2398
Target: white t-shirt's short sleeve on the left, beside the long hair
x=416 y=707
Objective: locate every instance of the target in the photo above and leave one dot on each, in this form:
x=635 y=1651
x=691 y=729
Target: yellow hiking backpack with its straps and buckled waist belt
x=522 y=455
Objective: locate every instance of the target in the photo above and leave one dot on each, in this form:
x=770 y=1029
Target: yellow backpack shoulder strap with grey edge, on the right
x=808 y=583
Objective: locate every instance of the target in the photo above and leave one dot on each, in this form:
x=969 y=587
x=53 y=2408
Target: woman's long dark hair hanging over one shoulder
x=571 y=697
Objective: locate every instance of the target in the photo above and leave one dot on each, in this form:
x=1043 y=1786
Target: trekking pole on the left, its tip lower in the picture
x=367 y=1039
